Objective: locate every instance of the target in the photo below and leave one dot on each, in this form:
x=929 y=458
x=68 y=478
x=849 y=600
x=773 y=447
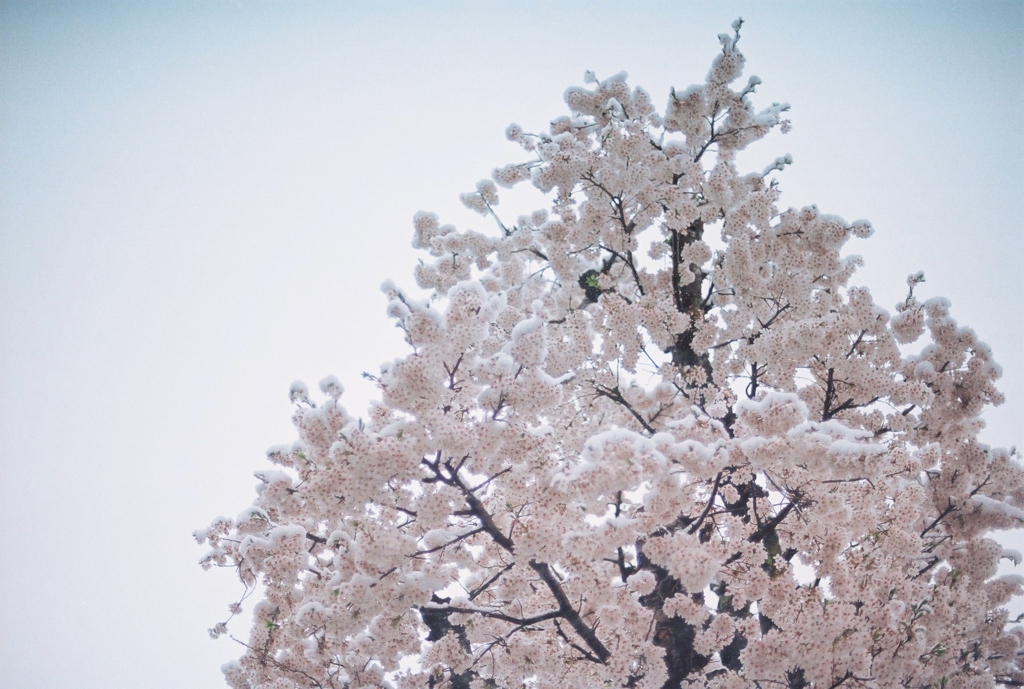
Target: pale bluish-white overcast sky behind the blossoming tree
x=199 y=202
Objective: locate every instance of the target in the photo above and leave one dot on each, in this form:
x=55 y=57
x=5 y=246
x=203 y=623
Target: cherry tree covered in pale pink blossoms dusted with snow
x=622 y=454
